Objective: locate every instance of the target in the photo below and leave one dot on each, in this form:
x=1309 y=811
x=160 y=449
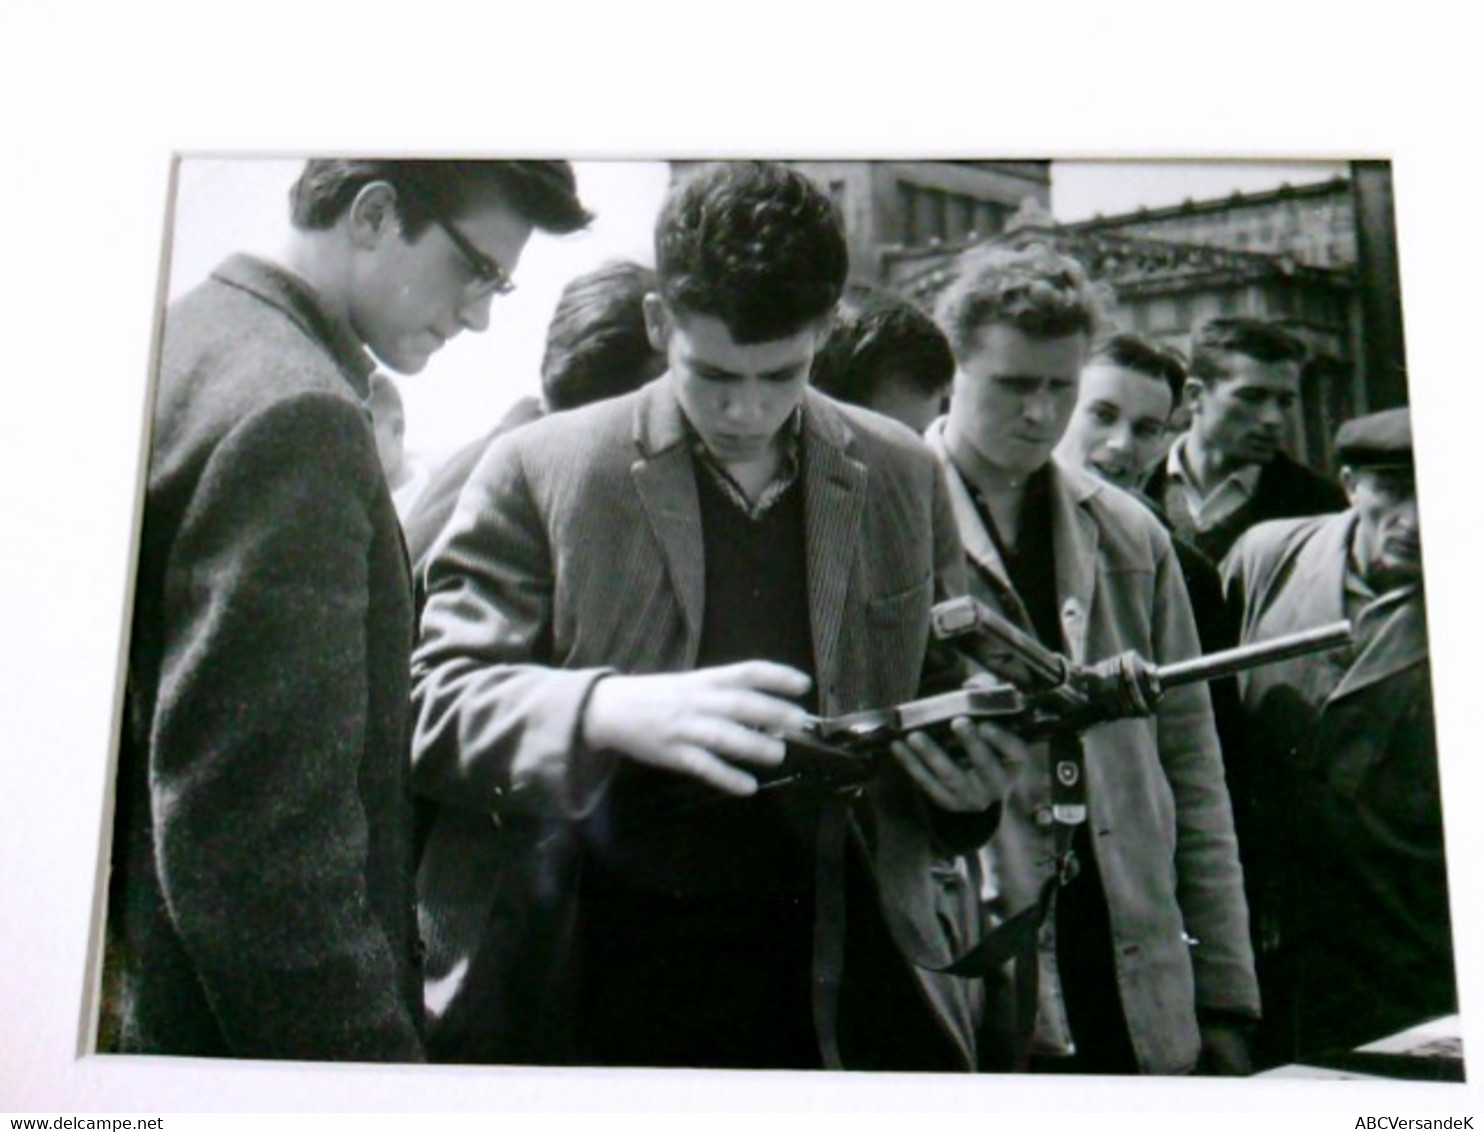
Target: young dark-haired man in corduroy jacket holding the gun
x=628 y=606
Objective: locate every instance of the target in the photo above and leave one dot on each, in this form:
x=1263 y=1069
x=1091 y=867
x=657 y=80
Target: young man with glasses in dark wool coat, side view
x=262 y=900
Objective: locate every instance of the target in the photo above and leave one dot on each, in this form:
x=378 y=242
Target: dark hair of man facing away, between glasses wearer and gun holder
x=597 y=346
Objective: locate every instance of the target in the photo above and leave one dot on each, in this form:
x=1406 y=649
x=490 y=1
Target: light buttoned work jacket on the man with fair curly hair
x=1160 y=814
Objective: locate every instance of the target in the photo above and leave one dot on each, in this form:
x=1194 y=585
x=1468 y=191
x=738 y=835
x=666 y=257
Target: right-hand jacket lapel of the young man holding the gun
x=835 y=502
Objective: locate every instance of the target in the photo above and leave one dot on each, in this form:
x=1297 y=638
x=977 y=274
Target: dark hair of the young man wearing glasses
x=544 y=194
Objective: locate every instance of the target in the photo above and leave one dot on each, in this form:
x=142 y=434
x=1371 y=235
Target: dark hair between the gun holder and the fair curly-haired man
x=878 y=336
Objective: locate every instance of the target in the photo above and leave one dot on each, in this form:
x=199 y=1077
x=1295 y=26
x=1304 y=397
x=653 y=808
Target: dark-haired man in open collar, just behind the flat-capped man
x=1228 y=473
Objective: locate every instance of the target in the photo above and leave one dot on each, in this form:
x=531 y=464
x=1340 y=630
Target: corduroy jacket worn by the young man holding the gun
x=575 y=551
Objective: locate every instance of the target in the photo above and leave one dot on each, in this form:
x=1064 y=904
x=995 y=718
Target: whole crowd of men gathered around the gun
x=508 y=769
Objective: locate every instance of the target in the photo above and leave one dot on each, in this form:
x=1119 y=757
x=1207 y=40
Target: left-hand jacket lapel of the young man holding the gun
x=666 y=481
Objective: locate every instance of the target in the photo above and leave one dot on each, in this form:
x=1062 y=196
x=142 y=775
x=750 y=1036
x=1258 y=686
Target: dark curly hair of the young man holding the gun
x=753 y=244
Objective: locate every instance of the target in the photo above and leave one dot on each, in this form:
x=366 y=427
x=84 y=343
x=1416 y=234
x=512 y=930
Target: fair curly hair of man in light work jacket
x=1038 y=292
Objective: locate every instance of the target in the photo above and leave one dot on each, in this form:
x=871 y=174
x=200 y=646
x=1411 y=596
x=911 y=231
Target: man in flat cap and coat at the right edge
x=1347 y=748
